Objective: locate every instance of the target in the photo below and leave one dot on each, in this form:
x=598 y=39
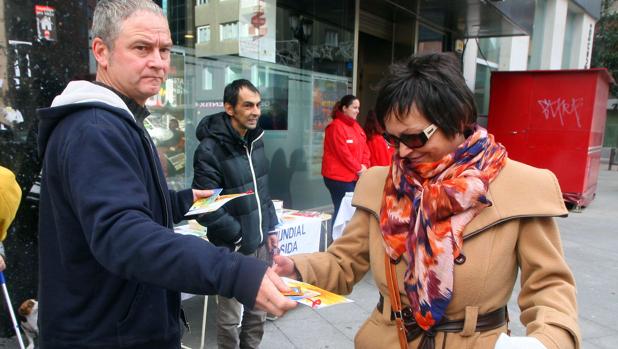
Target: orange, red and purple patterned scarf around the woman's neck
x=426 y=207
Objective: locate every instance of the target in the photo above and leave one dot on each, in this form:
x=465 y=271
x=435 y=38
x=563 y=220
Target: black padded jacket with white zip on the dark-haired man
x=225 y=160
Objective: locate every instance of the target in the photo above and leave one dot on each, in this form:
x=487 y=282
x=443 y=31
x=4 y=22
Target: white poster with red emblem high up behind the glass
x=257 y=25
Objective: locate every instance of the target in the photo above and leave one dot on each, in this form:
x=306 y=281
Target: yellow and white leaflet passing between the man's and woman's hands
x=311 y=295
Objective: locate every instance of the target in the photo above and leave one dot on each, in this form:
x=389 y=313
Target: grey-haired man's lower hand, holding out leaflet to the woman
x=269 y=296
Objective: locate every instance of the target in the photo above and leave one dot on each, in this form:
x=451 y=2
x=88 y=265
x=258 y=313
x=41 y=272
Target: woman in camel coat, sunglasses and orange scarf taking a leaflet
x=458 y=220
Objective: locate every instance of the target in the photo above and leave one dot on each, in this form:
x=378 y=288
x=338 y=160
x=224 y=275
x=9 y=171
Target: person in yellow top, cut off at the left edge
x=10 y=196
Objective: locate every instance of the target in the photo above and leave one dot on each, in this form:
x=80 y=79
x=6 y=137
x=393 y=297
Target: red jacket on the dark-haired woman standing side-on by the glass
x=345 y=149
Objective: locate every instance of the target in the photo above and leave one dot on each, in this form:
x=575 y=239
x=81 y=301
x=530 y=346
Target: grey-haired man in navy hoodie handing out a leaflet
x=111 y=267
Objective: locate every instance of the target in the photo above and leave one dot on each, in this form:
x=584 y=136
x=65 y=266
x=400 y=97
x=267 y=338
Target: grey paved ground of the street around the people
x=590 y=242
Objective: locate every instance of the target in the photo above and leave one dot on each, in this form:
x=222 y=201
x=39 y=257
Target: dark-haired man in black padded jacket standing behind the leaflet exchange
x=231 y=156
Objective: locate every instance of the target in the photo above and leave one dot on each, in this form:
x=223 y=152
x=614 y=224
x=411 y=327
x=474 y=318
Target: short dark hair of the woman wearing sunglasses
x=435 y=85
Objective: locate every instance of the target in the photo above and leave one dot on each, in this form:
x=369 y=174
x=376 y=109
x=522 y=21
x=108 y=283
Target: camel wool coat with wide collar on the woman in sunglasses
x=516 y=233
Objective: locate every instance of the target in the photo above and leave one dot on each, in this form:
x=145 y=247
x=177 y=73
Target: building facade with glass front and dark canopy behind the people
x=302 y=55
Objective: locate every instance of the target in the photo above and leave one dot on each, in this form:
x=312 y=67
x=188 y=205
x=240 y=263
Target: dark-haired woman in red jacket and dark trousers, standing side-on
x=346 y=155
